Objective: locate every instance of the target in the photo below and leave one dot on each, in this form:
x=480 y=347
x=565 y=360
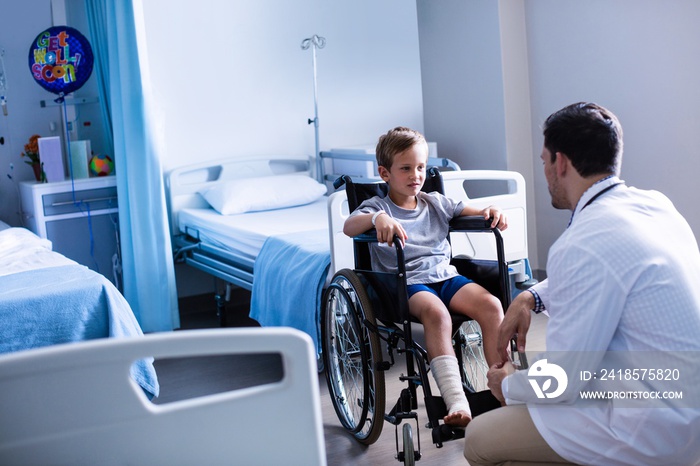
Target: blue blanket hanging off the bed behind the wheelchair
x=288 y=279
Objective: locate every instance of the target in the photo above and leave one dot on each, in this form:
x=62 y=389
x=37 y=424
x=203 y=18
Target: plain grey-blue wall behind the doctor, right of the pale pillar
x=639 y=59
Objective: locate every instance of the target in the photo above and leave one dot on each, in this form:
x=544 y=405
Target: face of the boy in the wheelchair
x=407 y=173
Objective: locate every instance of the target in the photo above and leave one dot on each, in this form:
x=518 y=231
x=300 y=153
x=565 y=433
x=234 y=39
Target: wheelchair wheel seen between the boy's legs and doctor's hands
x=469 y=344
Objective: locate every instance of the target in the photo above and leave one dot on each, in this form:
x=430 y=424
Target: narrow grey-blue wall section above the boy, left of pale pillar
x=463 y=81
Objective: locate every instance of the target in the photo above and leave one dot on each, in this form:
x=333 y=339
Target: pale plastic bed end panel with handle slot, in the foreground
x=74 y=404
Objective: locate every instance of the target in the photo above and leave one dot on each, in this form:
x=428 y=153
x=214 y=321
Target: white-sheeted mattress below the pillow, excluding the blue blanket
x=245 y=234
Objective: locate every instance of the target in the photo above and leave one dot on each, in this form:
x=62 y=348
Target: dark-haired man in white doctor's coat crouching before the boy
x=623 y=278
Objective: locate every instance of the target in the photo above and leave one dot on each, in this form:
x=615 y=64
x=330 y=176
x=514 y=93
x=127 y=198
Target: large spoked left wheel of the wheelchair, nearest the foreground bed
x=351 y=355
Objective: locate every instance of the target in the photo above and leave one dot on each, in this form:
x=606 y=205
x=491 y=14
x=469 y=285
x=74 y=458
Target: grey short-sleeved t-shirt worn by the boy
x=427 y=251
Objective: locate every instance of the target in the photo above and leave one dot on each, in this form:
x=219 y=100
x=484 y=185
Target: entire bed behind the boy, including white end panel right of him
x=285 y=254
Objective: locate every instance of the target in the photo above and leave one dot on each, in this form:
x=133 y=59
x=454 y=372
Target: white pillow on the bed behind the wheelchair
x=263 y=193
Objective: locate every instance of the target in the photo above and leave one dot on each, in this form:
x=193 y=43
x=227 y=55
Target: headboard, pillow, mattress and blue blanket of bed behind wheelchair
x=237 y=219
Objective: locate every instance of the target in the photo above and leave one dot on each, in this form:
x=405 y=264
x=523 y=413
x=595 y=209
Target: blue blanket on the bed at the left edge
x=65 y=304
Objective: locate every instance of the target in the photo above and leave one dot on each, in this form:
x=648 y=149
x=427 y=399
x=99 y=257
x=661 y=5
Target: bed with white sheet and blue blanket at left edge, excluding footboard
x=47 y=299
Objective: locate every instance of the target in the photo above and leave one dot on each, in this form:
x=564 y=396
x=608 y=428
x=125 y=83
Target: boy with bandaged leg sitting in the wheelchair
x=421 y=221
